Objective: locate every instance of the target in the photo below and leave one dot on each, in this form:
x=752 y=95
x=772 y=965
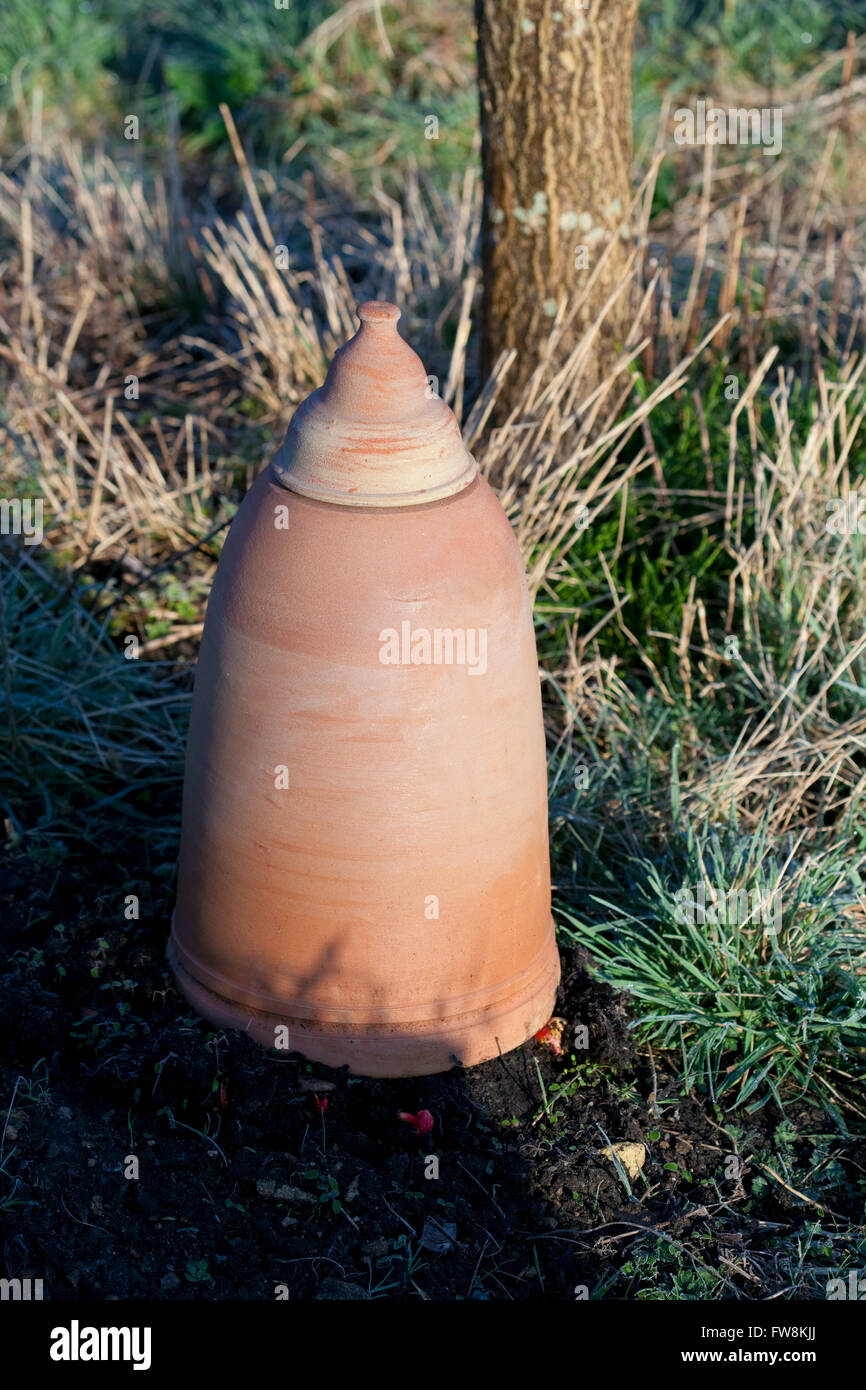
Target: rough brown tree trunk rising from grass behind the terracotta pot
x=555 y=83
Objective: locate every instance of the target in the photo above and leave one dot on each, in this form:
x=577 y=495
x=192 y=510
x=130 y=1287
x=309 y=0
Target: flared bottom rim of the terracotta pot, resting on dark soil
x=400 y=1049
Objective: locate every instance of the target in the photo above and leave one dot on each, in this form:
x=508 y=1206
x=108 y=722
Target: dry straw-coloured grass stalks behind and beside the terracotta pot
x=137 y=483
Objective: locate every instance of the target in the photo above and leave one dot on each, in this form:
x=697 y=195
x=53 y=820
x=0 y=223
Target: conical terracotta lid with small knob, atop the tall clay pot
x=375 y=434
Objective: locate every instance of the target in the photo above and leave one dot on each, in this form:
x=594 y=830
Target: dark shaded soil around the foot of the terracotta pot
x=247 y=1189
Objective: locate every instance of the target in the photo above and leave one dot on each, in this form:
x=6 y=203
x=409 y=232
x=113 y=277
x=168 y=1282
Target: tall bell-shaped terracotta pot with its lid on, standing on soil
x=365 y=872
